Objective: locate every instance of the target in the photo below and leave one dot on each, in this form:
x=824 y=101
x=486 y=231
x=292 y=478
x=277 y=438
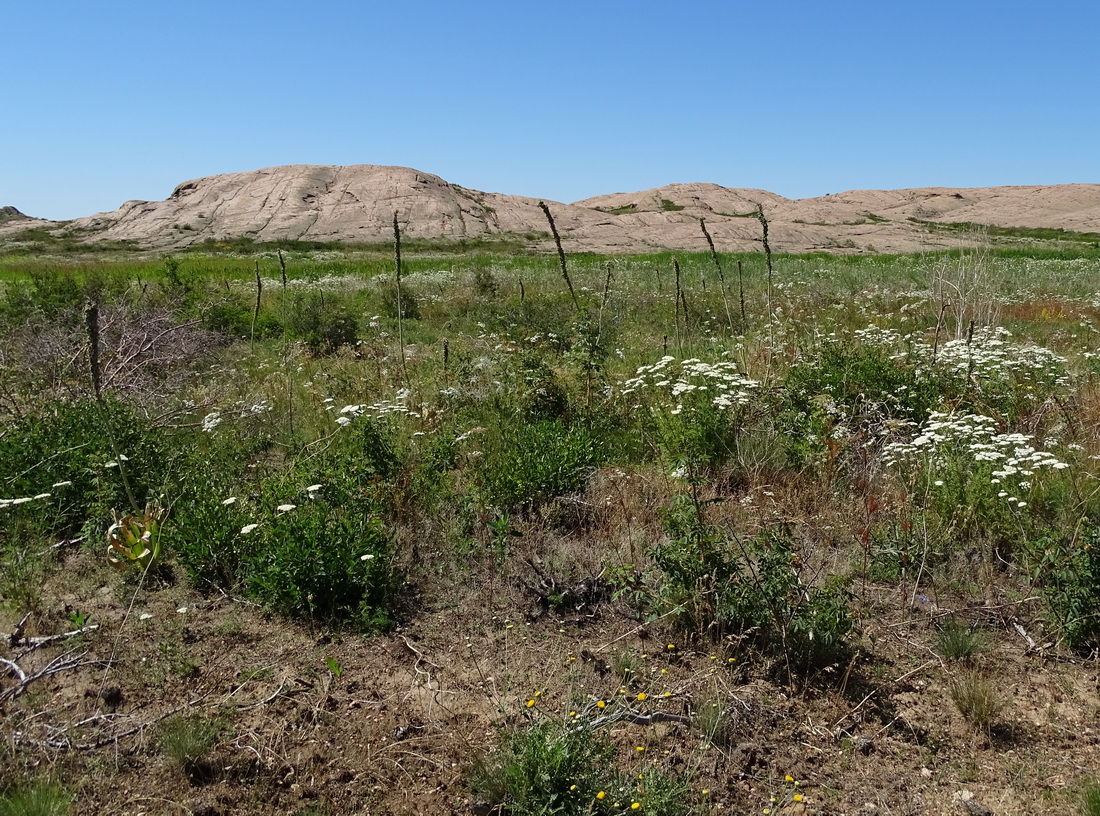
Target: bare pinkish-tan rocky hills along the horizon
x=357 y=204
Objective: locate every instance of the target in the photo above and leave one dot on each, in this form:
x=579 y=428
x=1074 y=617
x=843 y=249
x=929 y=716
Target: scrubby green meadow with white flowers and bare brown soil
x=301 y=531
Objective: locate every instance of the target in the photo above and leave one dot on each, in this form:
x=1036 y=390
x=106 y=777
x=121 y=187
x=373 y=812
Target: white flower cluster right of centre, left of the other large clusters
x=722 y=382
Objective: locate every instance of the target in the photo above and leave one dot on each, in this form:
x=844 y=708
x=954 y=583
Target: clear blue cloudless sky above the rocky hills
x=104 y=102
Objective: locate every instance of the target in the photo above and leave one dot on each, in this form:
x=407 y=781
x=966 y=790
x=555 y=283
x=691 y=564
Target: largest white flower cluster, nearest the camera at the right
x=1011 y=457
